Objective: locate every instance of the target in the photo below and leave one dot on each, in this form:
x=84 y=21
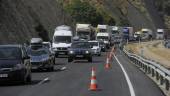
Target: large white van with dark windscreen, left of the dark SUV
x=62 y=40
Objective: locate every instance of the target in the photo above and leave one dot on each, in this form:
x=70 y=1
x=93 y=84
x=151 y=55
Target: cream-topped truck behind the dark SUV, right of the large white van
x=85 y=31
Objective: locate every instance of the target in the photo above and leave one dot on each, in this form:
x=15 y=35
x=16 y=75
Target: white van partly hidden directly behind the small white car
x=105 y=37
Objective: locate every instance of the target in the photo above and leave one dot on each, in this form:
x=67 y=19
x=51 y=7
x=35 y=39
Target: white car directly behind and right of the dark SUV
x=96 y=48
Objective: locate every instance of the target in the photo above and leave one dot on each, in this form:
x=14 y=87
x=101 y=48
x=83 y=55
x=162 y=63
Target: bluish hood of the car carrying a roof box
x=40 y=58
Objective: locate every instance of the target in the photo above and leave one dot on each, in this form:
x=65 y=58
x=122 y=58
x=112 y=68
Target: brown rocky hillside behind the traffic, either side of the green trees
x=21 y=20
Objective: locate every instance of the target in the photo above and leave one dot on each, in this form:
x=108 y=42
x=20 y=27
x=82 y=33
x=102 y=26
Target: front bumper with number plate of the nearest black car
x=12 y=75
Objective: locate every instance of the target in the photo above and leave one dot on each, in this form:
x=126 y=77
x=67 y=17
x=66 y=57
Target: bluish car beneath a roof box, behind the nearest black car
x=42 y=59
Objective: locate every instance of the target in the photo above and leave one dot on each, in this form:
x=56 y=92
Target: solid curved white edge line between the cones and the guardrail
x=132 y=92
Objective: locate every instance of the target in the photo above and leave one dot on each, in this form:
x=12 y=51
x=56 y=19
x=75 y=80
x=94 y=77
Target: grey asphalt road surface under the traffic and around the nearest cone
x=73 y=79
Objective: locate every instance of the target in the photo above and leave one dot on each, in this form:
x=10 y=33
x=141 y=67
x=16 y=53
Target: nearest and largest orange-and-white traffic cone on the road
x=93 y=83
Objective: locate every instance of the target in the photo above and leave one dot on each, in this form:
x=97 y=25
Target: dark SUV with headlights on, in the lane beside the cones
x=80 y=50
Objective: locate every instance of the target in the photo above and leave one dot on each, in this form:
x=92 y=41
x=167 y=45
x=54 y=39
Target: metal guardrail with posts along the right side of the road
x=158 y=72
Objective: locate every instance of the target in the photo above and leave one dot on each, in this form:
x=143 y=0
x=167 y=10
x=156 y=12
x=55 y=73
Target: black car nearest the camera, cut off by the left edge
x=14 y=63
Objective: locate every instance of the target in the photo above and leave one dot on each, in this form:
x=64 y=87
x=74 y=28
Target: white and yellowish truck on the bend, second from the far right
x=147 y=34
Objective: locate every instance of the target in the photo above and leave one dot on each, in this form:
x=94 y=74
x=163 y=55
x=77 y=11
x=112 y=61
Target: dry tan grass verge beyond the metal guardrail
x=152 y=50
